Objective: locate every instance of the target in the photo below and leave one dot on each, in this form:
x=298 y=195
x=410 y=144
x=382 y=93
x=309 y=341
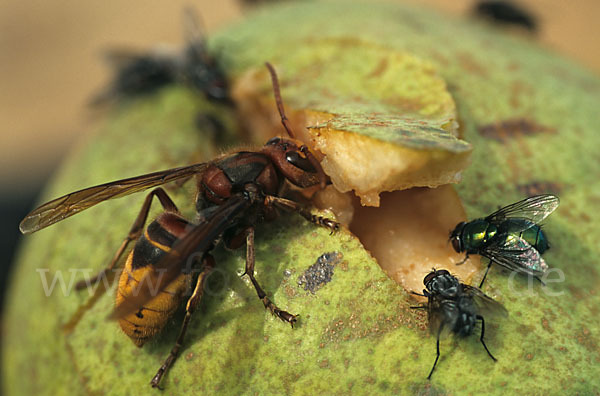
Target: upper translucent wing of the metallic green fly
x=535 y=209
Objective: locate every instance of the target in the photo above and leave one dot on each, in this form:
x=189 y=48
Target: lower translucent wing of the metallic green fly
x=516 y=254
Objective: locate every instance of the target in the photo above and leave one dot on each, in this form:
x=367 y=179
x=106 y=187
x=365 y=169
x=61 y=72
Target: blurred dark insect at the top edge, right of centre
x=506 y=13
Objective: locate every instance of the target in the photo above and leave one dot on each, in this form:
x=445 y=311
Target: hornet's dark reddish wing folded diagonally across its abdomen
x=198 y=240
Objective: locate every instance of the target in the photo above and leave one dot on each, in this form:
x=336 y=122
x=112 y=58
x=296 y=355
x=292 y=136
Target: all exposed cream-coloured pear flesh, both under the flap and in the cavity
x=408 y=232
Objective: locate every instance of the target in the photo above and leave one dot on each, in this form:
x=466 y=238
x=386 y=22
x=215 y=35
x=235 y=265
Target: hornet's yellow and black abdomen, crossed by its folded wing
x=151 y=318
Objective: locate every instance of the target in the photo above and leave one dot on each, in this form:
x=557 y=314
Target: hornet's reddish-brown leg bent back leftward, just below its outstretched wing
x=134 y=233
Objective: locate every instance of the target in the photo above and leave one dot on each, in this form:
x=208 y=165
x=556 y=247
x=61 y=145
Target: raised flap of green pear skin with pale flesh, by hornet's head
x=384 y=121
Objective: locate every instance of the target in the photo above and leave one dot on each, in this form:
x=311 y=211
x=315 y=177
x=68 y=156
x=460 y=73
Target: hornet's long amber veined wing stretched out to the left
x=70 y=204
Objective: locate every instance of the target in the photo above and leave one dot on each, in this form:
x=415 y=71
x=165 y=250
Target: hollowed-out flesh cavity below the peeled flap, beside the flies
x=408 y=234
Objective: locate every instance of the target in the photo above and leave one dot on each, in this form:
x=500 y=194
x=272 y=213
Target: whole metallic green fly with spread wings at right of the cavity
x=511 y=237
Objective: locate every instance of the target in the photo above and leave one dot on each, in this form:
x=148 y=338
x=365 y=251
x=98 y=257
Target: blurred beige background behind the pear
x=50 y=61
